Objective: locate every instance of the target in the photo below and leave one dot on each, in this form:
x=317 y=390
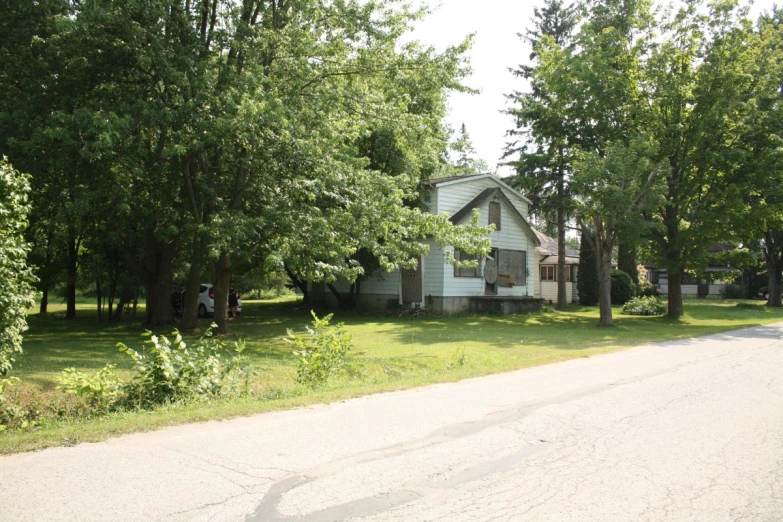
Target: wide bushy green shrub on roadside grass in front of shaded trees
x=170 y=371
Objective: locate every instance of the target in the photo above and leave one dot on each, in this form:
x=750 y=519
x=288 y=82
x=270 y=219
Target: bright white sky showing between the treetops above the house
x=496 y=47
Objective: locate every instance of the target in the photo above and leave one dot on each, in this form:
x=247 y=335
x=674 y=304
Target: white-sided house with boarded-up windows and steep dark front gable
x=505 y=281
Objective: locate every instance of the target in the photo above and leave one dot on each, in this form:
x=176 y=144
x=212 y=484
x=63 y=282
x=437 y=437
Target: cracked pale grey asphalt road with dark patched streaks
x=684 y=431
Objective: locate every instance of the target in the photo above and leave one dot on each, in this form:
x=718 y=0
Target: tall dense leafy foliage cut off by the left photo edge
x=15 y=276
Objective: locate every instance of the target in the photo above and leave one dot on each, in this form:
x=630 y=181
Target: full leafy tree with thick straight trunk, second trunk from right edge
x=698 y=80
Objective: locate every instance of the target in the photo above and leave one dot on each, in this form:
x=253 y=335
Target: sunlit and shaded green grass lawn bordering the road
x=389 y=353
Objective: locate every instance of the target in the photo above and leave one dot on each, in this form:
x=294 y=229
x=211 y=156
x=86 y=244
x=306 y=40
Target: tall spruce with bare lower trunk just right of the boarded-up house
x=544 y=157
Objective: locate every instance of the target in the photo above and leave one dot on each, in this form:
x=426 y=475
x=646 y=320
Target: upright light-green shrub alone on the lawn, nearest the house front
x=321 y=351
